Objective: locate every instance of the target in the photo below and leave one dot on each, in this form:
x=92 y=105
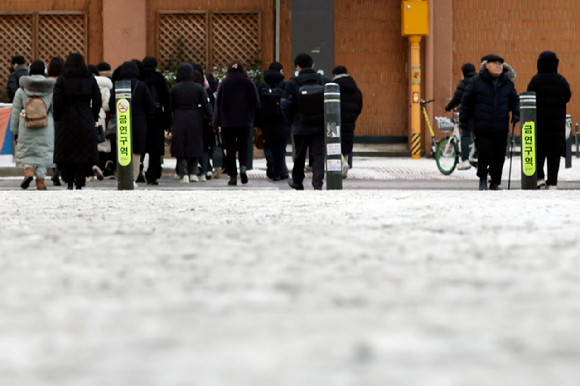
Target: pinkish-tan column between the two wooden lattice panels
x=124 y=31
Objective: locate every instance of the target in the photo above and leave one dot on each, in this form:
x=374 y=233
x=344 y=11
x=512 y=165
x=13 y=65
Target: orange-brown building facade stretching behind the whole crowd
x=365 y=37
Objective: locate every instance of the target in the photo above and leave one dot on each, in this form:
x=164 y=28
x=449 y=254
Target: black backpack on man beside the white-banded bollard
x=311 y=102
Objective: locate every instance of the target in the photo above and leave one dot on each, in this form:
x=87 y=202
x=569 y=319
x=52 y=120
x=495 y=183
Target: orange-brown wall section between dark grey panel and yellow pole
x=369 y=43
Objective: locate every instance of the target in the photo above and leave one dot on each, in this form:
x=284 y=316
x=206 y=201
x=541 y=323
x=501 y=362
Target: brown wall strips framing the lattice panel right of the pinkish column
x=267 y=14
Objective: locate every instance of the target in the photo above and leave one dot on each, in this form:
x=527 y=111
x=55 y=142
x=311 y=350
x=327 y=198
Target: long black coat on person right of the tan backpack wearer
x=77 y=102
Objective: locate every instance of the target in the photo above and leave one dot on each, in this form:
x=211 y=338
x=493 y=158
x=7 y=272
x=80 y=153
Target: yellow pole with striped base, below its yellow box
x=415 y=137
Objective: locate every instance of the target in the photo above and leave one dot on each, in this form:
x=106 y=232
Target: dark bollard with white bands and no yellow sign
x=332 y=128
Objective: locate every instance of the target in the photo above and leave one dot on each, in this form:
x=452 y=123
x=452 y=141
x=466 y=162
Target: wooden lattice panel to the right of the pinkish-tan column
x=208 y=38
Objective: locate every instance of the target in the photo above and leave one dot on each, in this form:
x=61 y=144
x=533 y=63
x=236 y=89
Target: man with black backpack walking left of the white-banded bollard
x=303 y=105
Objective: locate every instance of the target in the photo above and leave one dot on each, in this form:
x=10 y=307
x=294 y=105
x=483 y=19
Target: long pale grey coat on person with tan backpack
x=35 y=145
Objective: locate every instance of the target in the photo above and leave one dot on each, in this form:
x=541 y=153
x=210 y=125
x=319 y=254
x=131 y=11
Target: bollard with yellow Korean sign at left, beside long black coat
x=124 y=137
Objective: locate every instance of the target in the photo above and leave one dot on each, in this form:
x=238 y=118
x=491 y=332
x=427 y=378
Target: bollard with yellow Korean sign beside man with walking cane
x=528 y=122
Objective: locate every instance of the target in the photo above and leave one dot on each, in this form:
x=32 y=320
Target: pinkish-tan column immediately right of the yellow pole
x=439 y=83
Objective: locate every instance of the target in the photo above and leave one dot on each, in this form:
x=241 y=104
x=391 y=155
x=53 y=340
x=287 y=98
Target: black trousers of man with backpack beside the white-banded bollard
x=316 y=144
